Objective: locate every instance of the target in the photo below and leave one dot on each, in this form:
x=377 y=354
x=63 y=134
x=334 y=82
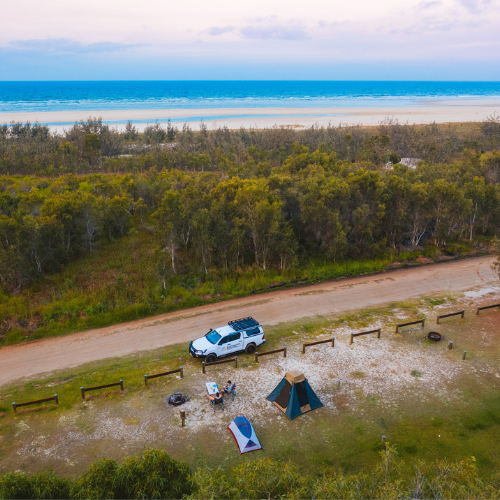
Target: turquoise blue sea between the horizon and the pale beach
x=109 y=95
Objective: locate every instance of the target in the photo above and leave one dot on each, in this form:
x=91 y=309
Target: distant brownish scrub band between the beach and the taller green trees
x=92 y=146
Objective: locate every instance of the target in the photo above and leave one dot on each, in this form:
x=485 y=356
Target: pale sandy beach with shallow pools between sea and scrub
x=422 y=112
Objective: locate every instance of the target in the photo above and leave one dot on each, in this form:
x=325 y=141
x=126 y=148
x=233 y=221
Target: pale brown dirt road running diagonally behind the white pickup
x=26 y=360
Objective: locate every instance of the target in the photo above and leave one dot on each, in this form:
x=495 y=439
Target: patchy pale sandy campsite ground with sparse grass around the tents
x=376 y=382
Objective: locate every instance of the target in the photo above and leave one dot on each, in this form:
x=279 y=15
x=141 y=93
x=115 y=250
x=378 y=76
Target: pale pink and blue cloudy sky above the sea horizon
x=258 y=39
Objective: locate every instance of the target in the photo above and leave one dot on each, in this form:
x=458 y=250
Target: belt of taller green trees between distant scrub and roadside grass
x=312 y=206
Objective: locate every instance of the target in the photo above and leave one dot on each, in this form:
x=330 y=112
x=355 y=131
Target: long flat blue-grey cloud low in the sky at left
x=68 y=46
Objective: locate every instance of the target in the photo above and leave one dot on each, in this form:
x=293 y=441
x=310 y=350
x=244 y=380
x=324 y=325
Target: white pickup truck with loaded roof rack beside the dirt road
x=240 y=335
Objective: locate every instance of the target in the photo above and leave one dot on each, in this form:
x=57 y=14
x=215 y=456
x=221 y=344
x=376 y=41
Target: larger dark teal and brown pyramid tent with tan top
x=294 y=395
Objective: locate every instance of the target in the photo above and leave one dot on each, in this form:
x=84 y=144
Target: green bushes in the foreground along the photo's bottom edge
x=155 y=475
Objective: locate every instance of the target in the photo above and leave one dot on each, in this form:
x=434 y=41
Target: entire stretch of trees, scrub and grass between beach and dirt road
x=99 y=226
